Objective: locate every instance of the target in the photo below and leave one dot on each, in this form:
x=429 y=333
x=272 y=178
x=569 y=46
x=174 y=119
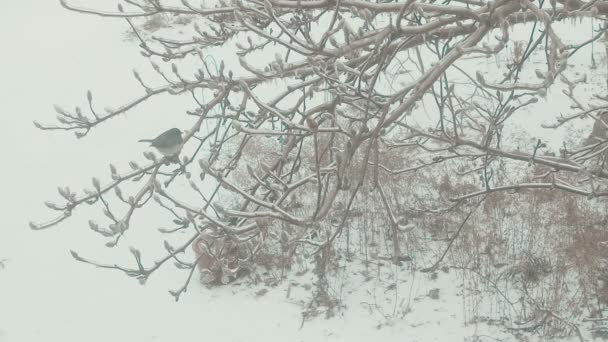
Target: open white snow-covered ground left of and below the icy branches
x=52 y=56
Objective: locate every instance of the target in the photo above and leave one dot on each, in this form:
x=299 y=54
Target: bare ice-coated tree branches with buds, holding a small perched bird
x=353 y=77
